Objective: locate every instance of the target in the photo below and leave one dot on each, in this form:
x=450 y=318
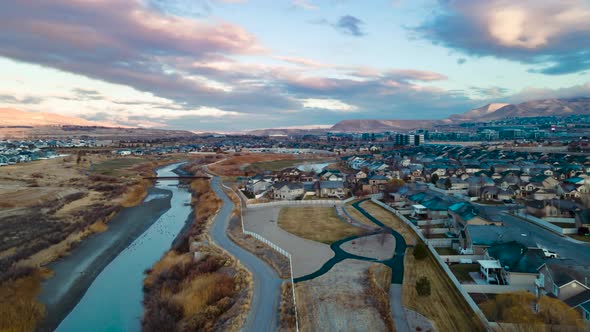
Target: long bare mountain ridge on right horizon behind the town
x=489 y=112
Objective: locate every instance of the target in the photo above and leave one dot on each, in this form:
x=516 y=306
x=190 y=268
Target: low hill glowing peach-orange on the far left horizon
x=12 y=117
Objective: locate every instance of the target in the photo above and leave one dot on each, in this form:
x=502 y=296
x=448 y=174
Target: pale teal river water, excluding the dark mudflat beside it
x=114 y=300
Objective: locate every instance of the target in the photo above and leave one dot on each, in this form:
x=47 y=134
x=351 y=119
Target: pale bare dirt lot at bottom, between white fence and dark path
x=339 y=300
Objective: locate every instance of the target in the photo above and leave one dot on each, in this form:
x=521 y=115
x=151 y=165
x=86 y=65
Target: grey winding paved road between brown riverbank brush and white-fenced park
x=264 y=308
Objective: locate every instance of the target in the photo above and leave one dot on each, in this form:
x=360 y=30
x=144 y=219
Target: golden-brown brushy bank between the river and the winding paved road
x=197 y=285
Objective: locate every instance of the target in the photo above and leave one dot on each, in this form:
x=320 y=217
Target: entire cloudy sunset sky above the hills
x=230 y=65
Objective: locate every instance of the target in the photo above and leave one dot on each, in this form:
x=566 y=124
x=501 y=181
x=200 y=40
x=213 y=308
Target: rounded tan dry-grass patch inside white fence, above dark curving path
x=316 y=223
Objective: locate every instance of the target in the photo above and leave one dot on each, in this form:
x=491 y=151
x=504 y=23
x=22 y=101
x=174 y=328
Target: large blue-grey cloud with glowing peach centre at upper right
x=552 y=36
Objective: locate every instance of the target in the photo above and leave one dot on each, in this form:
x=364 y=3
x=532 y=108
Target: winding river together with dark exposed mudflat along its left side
x=113 y=300
